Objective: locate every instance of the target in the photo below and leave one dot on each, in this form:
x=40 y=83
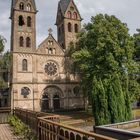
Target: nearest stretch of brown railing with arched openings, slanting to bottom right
x=49 y=130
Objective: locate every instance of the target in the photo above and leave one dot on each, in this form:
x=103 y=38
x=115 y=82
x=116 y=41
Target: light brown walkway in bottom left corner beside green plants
x=6 y=133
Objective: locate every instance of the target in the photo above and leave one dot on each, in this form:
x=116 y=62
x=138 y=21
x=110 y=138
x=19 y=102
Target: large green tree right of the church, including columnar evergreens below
x=104 y=54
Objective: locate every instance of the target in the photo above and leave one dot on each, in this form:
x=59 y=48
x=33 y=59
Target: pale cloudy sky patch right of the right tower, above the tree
x=126 y=10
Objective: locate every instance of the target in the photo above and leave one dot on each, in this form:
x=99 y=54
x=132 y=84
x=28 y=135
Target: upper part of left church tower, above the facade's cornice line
x=23 y=33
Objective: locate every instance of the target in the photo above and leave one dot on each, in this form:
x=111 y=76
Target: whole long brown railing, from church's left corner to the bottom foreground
x=48 y=127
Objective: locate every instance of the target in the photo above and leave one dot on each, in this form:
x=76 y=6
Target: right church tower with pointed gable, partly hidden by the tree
x=68 y=22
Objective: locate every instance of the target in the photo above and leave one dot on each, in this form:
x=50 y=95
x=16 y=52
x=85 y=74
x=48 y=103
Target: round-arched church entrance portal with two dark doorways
x=51 y=99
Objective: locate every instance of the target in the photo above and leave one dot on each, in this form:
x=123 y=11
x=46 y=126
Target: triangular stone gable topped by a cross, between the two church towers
x=50 y=47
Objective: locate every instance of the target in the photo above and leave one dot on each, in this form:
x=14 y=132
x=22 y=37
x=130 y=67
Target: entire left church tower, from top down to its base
x=23 y=47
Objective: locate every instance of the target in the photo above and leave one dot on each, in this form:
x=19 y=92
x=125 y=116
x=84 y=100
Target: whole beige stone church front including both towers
x=40 y=76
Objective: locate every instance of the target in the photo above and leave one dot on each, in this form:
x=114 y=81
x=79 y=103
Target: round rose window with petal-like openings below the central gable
x=51 y=68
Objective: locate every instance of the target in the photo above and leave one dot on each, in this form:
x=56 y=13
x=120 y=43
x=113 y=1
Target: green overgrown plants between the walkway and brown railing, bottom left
x=20 y=129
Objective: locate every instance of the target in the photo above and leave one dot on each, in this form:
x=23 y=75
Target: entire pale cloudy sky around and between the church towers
x=126 y=10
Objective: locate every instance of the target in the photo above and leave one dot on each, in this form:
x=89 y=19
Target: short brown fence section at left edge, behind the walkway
x=4 y=115
